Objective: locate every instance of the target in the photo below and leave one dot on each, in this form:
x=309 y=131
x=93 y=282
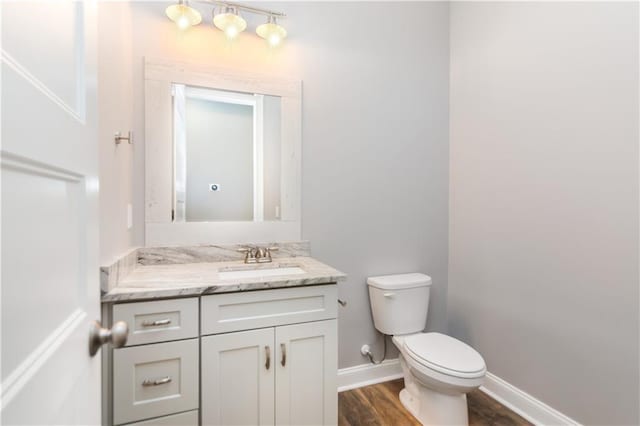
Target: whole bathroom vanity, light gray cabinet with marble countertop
x=221 y=342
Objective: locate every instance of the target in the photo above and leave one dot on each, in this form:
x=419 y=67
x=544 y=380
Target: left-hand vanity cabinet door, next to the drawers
x=238 y=378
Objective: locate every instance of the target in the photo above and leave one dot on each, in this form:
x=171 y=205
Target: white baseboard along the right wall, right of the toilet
x=517 y=400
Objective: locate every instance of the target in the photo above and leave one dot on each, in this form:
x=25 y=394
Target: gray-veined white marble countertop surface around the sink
x=194 y=279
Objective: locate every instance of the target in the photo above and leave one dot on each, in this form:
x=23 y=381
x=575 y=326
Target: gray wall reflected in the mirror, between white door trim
x=219 y=139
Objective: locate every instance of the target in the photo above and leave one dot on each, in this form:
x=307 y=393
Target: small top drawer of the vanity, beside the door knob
x=161 y=321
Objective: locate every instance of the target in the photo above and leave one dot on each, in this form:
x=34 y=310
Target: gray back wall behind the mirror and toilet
x=375 y=135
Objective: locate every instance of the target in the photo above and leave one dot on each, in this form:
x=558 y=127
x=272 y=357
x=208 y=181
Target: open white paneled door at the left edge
x=49 y=166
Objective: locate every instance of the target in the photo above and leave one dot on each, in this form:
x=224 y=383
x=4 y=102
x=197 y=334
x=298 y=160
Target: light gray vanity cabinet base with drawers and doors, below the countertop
x=263 y=357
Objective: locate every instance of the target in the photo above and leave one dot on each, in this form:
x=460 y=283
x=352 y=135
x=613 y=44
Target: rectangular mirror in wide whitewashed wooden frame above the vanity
x=222 y=156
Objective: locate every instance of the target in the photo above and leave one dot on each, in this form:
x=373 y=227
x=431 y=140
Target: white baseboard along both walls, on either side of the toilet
x=508 y=395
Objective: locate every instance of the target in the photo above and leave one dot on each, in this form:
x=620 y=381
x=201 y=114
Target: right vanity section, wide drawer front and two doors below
x=283 y=374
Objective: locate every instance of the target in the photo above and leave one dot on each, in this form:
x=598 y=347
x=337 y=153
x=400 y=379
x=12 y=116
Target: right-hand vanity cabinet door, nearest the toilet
x=307 y=374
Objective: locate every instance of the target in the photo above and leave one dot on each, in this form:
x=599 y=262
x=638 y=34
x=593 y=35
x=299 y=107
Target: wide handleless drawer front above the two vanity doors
x=222 y=313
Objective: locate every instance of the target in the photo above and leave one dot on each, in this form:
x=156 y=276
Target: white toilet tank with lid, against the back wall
x=399 y=303
